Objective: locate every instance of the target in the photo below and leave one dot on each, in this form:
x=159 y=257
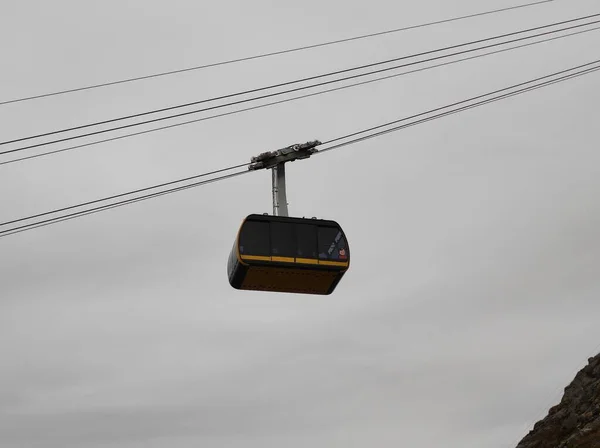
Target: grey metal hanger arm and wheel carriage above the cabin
x=275 y=161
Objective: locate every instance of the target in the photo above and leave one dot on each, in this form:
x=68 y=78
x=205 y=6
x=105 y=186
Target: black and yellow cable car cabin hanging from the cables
x=283 y=254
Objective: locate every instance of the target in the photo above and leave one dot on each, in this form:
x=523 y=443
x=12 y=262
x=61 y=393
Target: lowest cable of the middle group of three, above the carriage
x=293 y=98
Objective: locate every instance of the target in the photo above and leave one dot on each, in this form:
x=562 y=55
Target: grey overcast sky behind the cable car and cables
x=472 y=299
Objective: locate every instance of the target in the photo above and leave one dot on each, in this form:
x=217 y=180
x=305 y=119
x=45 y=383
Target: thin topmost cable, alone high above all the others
x=274 y=53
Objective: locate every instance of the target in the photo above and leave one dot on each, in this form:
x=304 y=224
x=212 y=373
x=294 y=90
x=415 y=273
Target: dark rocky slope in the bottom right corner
x=575 y=421
